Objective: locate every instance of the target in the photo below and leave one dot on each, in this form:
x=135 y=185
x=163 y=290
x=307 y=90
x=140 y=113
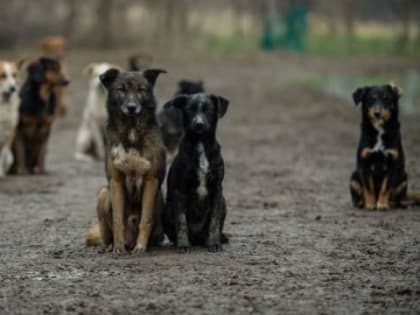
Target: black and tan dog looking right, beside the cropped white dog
x=36 y=115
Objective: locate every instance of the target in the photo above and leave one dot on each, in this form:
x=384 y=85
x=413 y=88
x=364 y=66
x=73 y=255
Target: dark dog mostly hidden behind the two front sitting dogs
x=170 y=118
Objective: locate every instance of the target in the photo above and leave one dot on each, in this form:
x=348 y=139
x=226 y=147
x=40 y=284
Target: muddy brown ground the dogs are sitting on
x=297 y=245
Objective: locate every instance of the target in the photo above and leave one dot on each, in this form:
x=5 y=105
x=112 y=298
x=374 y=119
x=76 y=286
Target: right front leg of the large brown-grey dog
x=151 y=186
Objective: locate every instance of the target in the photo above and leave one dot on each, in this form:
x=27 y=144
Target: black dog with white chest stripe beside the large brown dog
x=196 y=208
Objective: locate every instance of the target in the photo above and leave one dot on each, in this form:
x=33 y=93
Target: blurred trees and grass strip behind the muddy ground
x=328 y=27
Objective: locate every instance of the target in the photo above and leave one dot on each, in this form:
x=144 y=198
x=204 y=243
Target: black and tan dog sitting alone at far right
x=380 y=180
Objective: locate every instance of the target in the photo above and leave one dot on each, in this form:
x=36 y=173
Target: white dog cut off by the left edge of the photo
x=9 y=112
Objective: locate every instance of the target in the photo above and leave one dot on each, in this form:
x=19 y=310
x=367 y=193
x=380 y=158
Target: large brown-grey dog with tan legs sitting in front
x=135 y=163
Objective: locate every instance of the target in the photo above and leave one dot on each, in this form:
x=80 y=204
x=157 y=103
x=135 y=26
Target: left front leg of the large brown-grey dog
x=117 y=203
